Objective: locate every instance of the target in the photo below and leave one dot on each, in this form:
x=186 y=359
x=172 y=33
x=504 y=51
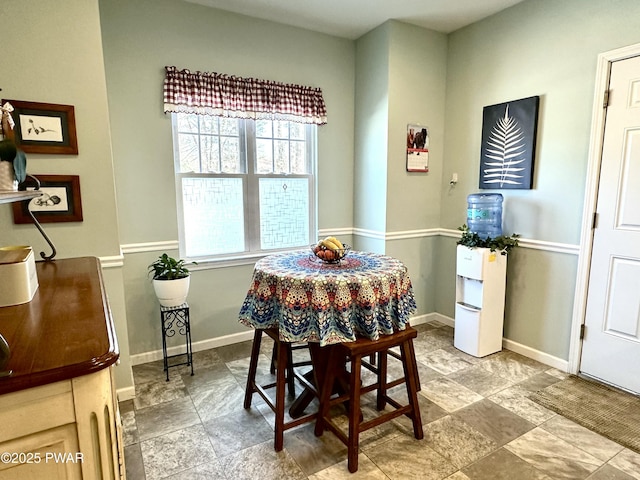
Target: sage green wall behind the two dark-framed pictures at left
x=52 y=53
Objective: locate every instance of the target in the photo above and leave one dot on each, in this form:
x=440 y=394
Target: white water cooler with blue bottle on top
x=480 y=282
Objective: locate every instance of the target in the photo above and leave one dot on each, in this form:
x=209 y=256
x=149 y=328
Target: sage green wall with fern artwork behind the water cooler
x=546 y=48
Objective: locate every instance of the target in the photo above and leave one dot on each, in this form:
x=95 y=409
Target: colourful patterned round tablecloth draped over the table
x=366 y=294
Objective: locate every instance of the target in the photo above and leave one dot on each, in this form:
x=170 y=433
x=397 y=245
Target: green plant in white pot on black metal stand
x=171 y=279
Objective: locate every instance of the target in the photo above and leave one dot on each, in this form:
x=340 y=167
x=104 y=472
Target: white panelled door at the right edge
x=611 y=345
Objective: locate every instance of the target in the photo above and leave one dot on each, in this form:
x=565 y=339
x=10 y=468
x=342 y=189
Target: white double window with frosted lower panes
x=244 y=187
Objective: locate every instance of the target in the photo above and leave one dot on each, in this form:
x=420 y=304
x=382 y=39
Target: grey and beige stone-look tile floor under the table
x=478 y=424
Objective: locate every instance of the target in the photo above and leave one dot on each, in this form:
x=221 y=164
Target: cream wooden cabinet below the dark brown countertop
x=64 y=430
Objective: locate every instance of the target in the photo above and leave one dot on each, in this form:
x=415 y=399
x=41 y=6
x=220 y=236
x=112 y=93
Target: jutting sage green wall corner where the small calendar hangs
x=400 y=79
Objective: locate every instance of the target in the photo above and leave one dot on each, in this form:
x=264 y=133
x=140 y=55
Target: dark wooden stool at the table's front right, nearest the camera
x=355 y=351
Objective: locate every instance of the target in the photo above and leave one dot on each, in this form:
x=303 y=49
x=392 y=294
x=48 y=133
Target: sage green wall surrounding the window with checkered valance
x=140 y=38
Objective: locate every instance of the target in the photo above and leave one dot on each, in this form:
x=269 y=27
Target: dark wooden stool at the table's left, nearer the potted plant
x=283 y=360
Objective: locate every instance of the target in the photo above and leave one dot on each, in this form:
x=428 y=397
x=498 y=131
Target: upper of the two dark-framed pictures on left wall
x=43 y=127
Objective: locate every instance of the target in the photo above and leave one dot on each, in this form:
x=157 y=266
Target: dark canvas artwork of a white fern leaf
x=508 y=144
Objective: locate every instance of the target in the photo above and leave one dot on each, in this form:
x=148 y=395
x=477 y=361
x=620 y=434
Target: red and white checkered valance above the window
x=229 y=96
